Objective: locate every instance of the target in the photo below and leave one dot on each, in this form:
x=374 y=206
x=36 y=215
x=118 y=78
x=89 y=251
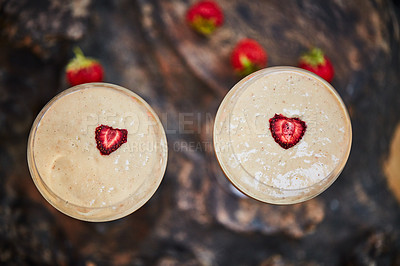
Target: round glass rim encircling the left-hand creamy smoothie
x=46 y=189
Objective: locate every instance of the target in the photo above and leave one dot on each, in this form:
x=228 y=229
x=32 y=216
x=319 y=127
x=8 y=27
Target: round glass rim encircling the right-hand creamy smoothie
x=323 y=183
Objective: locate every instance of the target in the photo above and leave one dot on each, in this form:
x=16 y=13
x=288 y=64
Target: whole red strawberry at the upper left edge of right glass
x=248 y=56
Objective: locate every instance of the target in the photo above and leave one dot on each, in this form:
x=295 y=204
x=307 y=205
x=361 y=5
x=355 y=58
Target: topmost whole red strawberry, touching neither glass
x=205 y=17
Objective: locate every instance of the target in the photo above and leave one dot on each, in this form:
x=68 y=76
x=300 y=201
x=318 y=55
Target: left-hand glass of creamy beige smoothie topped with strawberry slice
x=97 y=152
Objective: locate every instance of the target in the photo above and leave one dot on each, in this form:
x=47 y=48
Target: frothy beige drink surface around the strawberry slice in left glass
x=69 y=162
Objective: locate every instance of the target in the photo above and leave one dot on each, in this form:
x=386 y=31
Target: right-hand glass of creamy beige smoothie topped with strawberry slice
x=282 y=135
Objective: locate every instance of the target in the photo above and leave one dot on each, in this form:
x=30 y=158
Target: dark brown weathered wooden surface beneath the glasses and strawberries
x=194 y=219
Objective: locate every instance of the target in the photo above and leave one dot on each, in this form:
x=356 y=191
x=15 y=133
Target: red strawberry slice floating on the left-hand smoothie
x=109 y=139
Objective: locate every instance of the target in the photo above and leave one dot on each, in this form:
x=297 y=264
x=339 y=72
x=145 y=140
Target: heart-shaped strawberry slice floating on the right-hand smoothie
x=287 y=132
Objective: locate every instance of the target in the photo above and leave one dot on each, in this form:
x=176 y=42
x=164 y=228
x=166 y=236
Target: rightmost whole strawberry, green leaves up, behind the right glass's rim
x=318 y=63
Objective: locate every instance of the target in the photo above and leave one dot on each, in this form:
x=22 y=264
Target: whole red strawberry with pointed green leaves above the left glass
x=83 y=69
